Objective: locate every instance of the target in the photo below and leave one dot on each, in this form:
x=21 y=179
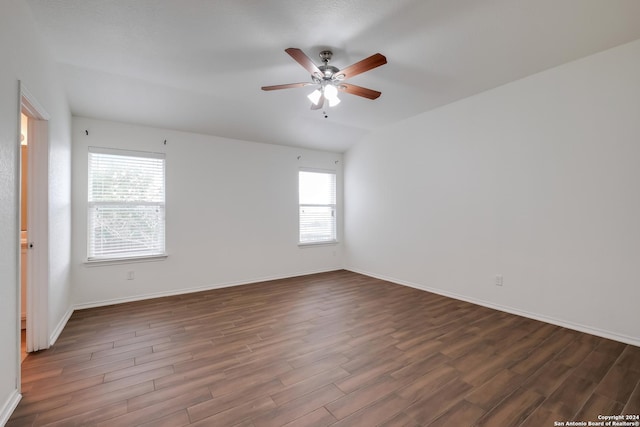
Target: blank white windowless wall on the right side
x=537 y=180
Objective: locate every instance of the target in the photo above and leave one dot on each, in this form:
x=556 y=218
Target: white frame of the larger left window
x=125 y=257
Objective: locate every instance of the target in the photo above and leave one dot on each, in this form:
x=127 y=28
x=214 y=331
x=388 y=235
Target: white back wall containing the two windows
x=231 y=214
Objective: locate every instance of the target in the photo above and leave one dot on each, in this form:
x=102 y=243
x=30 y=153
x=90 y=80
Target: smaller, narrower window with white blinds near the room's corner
x=317 y=198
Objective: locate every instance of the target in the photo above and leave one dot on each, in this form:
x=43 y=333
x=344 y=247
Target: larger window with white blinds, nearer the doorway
x=126 y=204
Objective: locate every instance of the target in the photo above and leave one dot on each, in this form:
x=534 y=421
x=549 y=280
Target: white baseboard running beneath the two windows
x=114 y=301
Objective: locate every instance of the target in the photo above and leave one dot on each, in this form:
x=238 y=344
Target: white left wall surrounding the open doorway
x=24 y=57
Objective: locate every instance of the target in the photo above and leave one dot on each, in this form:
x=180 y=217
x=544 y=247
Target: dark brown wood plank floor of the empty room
x=336 y=349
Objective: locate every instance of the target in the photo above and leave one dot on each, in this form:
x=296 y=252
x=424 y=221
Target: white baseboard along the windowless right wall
x=551 y=320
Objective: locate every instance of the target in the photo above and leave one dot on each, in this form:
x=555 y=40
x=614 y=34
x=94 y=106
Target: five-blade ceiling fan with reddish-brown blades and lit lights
x=329 y=80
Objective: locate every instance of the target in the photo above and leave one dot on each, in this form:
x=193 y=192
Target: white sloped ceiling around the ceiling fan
x=198 y=65
